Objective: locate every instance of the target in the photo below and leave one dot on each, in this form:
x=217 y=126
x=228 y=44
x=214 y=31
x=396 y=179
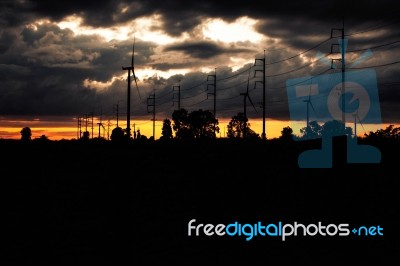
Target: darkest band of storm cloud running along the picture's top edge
x=181 y=15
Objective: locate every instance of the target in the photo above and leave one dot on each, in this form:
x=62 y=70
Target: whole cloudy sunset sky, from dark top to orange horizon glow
x=60 y=60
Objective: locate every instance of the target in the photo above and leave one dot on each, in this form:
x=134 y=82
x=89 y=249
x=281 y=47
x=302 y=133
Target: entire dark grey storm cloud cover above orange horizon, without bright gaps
x=42 y=70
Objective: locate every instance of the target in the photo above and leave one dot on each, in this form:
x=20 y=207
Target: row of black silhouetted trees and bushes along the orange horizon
x=201 y=124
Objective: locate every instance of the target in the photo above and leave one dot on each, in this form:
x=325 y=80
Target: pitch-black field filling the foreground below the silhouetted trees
x=74 y=203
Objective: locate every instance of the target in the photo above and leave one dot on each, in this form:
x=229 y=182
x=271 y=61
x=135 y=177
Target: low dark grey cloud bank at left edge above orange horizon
x=34 y=93
